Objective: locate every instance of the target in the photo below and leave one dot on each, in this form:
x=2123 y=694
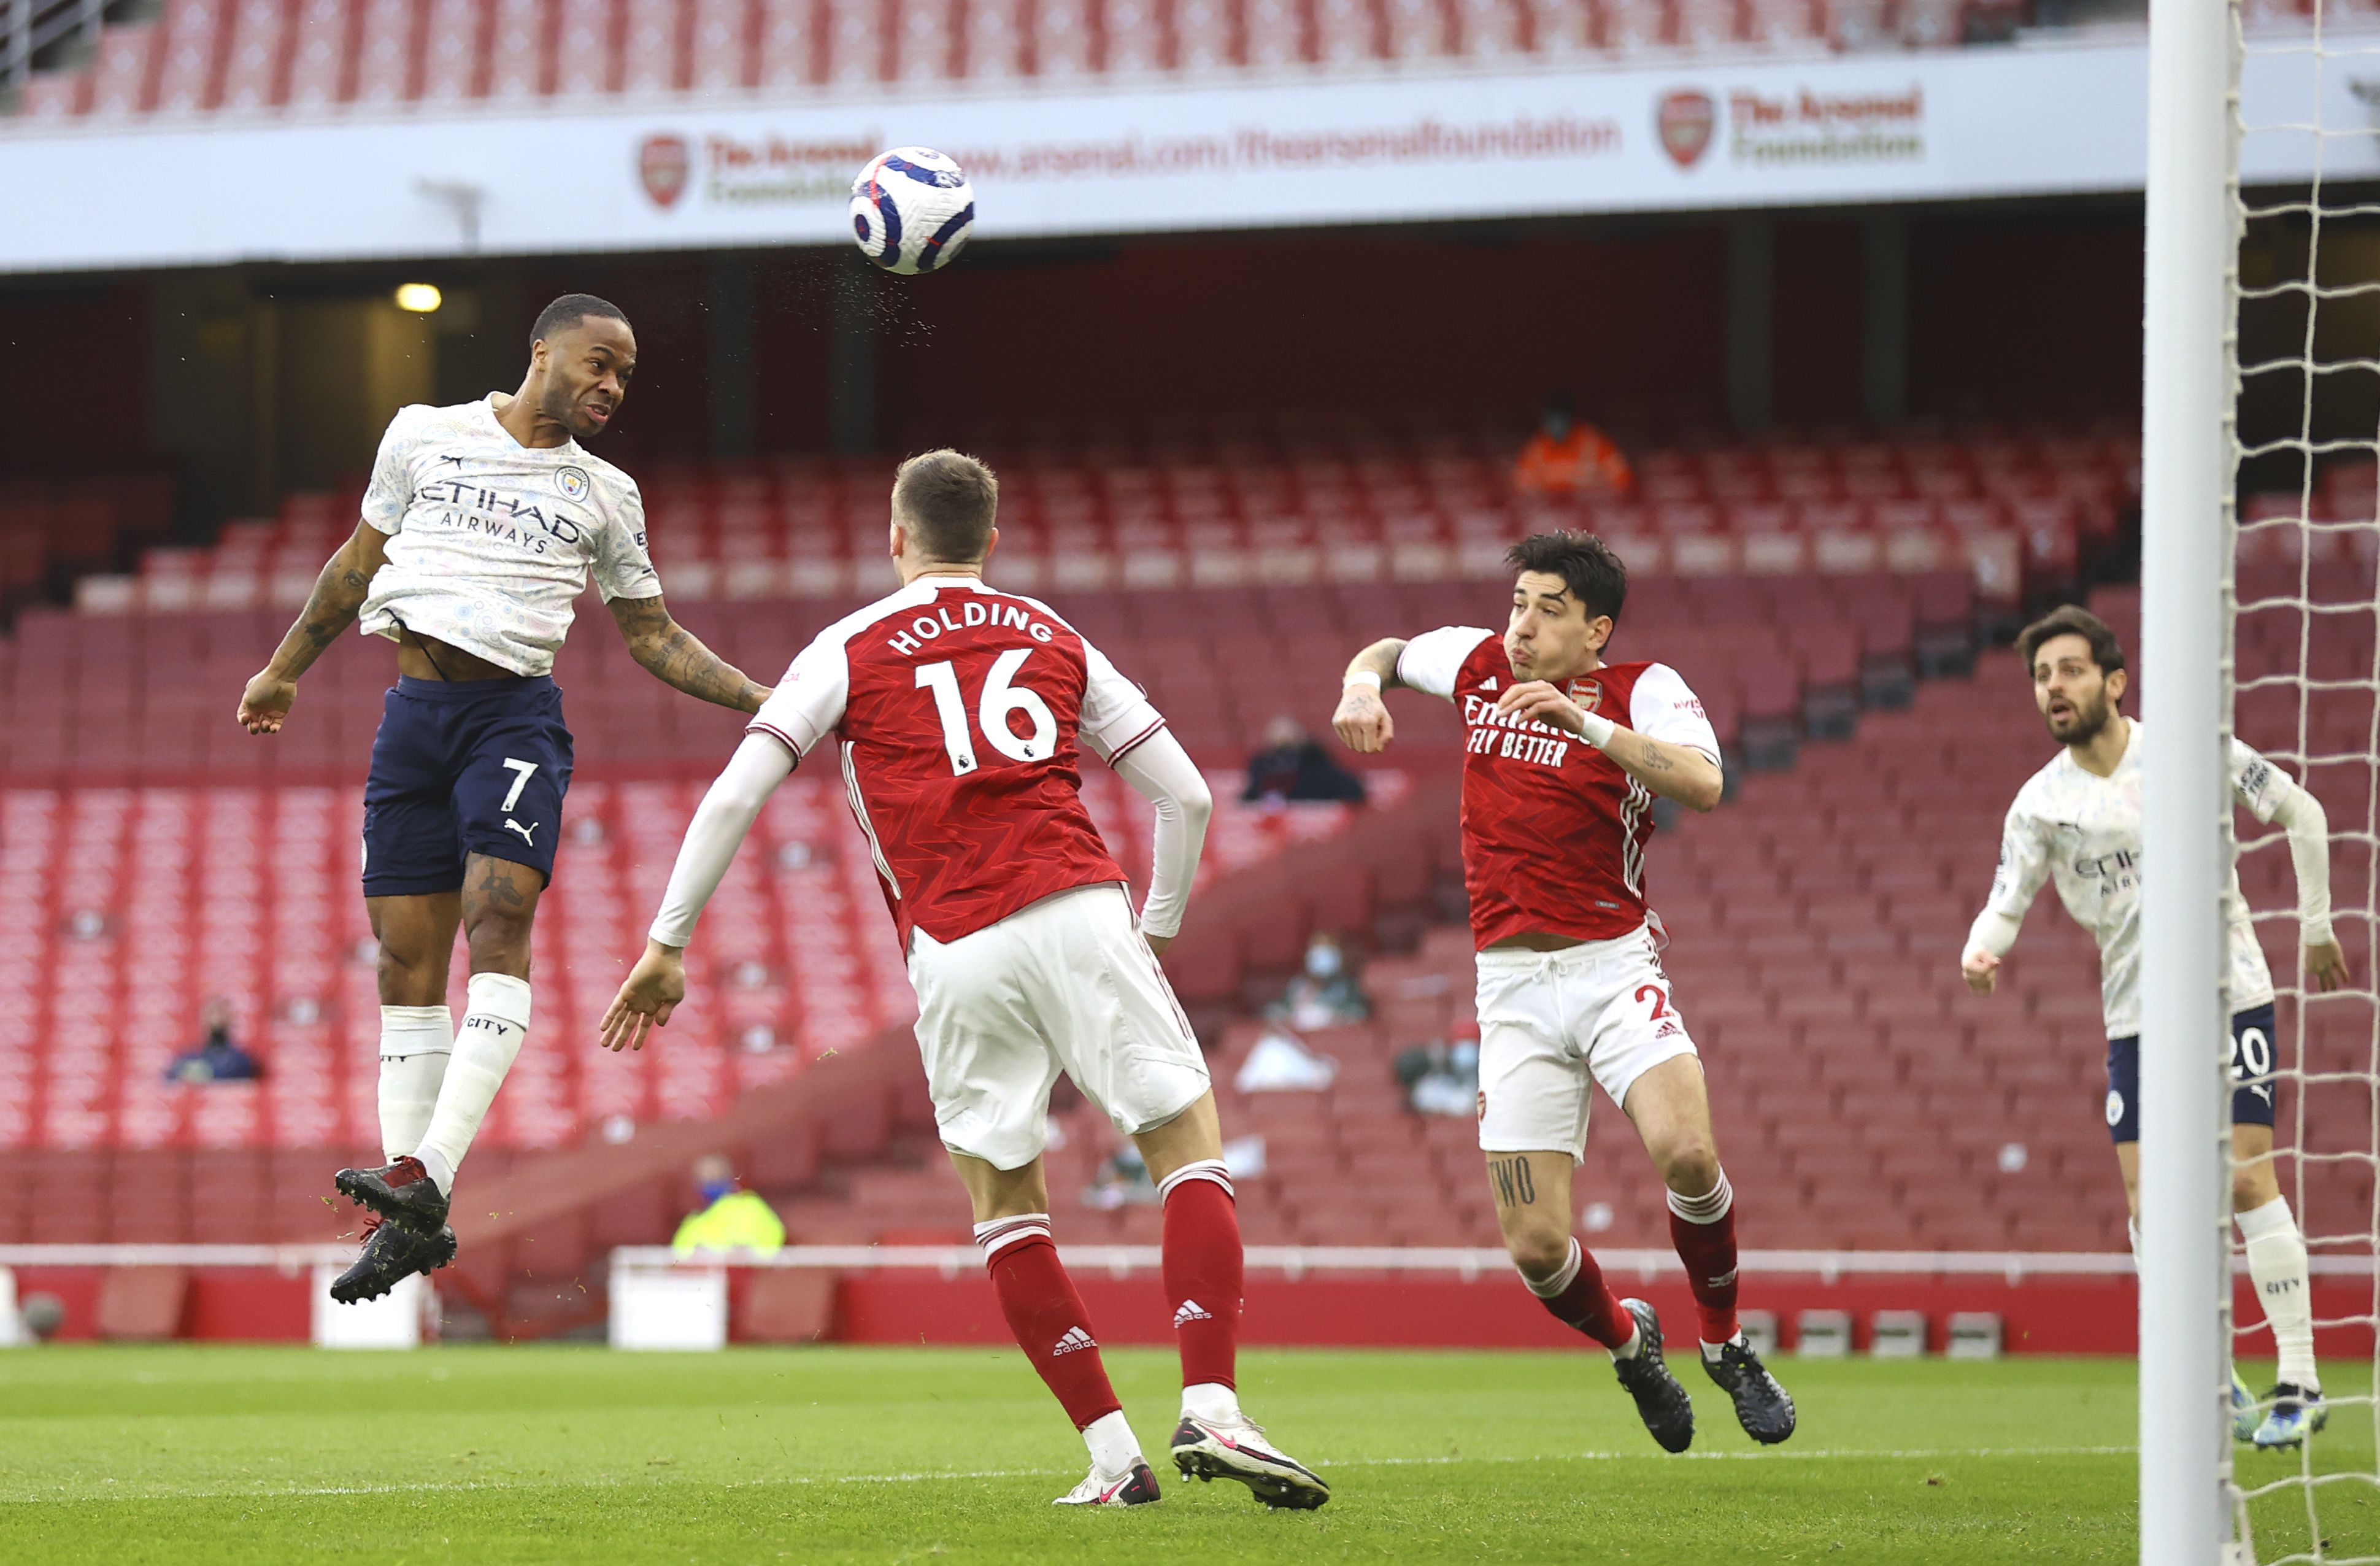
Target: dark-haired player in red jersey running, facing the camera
x=1560 y=772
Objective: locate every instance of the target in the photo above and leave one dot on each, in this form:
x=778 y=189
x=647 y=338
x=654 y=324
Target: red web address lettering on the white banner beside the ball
x=1251 y=149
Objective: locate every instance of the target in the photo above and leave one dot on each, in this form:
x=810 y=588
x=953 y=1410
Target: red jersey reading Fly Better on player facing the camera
x=1553 y=829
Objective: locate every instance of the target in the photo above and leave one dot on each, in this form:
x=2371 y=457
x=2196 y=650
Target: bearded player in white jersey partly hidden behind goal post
x=2077 y=822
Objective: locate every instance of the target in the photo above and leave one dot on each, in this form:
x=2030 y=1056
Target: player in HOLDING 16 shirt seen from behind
x=958 y=715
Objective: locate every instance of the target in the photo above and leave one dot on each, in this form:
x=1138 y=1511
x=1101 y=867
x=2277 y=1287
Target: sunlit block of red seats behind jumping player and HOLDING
x=134 y=906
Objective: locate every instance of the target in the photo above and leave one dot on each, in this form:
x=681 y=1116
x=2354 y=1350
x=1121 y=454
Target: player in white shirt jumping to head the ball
x=482 y=525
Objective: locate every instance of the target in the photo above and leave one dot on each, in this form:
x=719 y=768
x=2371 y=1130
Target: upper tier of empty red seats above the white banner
x=318 y=56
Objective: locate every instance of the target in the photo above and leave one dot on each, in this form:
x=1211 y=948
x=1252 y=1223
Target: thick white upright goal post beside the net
x=2188 y=399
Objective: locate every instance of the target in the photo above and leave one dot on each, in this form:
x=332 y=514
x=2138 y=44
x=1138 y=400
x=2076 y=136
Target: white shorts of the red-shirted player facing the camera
x=1553 y=1025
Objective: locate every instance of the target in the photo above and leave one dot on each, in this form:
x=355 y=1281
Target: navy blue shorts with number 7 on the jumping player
x=470 y=768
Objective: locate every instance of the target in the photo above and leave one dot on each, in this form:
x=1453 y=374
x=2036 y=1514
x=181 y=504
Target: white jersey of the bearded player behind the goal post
x=2084 y=832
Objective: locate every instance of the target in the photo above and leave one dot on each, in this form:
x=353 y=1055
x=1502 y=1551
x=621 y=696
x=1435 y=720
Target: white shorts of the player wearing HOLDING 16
x=1065 y=984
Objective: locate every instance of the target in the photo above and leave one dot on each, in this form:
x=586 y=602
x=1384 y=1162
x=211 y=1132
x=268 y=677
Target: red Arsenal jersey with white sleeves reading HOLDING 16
x=958 y=713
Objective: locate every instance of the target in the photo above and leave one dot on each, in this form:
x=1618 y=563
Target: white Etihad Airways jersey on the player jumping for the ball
x=491 y=541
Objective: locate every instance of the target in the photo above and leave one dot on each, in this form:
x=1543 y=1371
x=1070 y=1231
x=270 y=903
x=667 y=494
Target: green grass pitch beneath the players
x=487 y=1455
